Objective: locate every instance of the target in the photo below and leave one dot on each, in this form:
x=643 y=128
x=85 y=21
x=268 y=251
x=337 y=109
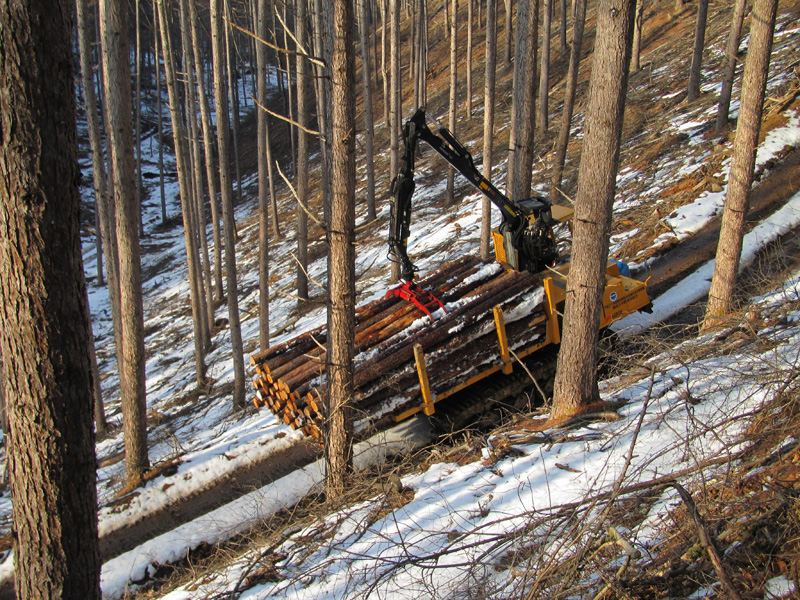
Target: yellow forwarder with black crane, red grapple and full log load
x=476 y=388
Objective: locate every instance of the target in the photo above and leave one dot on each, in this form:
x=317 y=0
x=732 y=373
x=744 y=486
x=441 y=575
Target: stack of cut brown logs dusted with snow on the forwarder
x=459 y=345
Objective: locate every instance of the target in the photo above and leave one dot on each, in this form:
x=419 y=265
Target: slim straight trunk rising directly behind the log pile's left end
x=263 y=176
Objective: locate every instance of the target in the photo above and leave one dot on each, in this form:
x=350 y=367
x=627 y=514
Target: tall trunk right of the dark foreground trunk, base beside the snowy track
x=114 y=35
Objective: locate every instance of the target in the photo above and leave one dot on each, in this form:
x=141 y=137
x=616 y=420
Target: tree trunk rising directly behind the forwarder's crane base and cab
x=523 y=108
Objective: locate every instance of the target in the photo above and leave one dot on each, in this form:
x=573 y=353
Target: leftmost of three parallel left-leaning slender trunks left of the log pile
x=184 y=184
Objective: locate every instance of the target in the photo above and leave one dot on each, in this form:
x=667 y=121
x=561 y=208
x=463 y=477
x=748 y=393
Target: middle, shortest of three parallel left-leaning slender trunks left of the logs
x=209 y=142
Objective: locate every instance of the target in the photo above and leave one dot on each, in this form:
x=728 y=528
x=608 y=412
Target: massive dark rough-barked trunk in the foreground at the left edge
x=44 y=317
